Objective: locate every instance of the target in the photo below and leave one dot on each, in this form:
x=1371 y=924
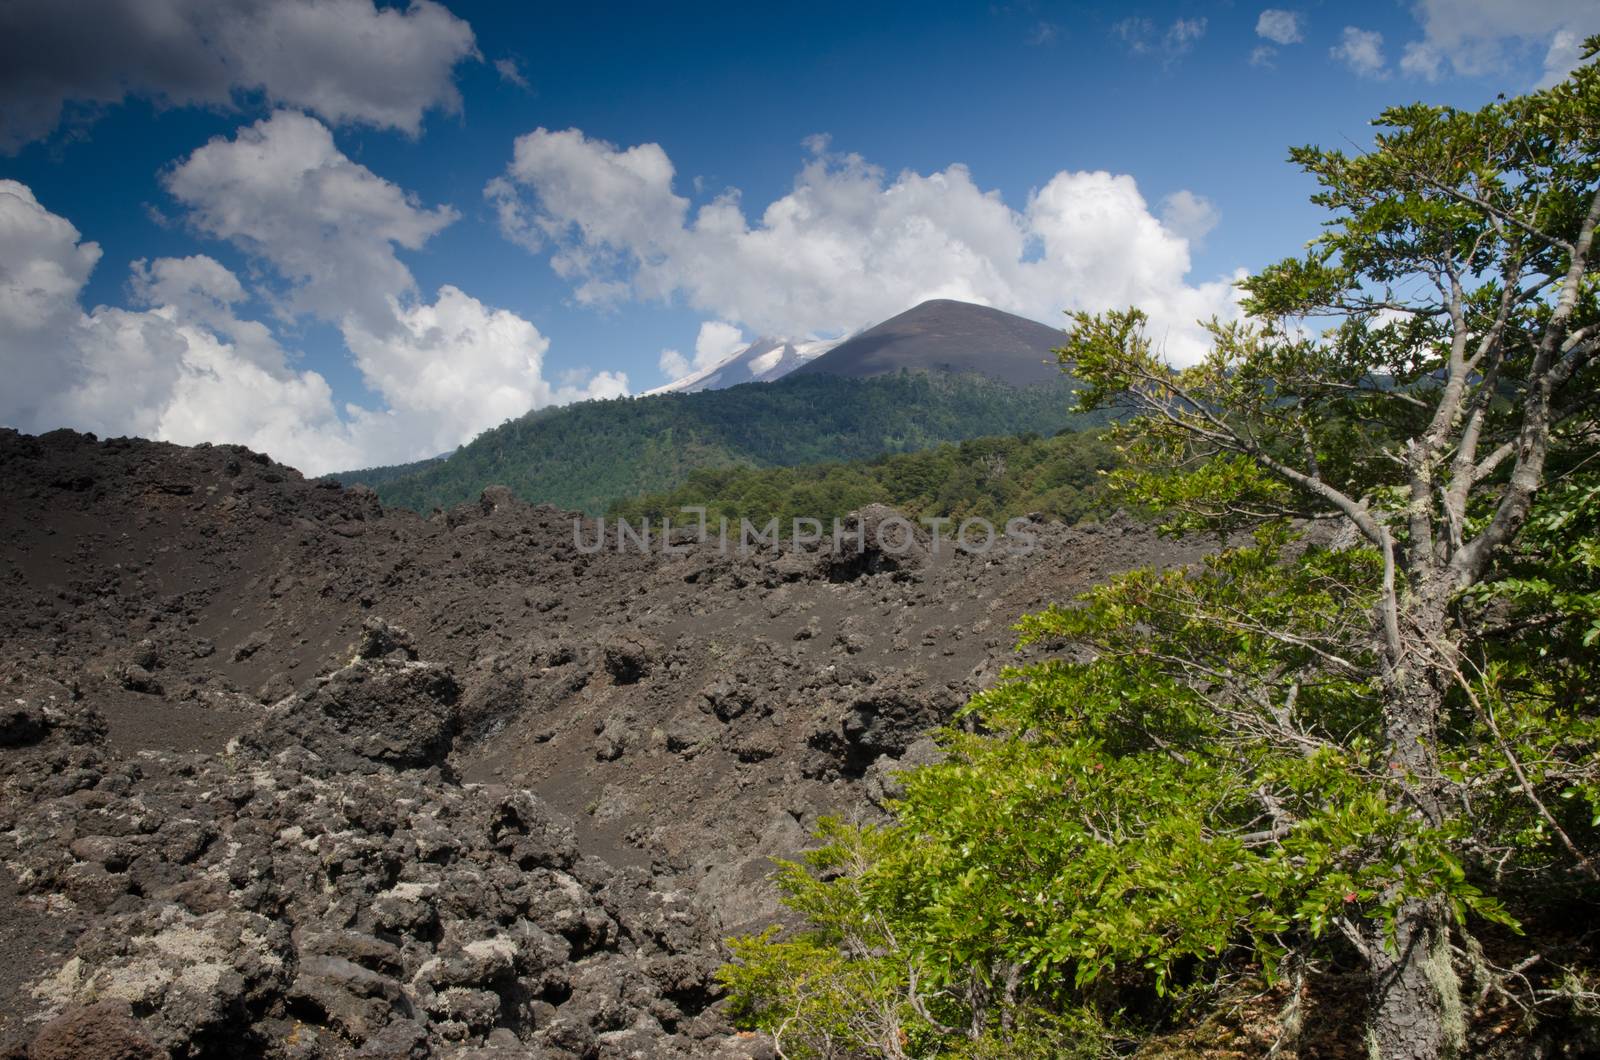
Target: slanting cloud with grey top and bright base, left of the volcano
x=332 y=230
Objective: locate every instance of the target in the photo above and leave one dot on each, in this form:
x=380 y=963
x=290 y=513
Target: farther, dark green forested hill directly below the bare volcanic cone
x=594 y=454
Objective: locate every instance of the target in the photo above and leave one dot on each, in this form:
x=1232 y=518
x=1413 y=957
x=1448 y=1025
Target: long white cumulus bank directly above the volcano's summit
x=850 y=246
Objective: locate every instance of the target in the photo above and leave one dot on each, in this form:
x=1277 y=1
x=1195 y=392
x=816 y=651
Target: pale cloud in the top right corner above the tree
x=1484 y=38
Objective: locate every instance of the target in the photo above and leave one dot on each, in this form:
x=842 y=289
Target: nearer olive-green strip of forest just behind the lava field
x=993 y=478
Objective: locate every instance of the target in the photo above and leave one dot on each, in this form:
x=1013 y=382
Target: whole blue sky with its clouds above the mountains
x=431 y=286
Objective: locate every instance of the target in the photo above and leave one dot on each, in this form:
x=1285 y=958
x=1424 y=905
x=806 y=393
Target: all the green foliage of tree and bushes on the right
x=1372 y=734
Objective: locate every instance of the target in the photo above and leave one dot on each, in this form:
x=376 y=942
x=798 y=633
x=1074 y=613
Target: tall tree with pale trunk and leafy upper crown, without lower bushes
x=1428 y=435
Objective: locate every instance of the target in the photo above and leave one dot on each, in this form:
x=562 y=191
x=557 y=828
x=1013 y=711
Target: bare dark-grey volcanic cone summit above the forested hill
x=946 y=335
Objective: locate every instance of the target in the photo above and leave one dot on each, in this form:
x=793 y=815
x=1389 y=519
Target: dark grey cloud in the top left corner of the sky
x=345 y=60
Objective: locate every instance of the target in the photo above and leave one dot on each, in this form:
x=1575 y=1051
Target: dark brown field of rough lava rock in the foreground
x=290 y=774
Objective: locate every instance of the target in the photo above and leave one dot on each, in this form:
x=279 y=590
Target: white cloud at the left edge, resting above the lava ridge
x=159 y=372
